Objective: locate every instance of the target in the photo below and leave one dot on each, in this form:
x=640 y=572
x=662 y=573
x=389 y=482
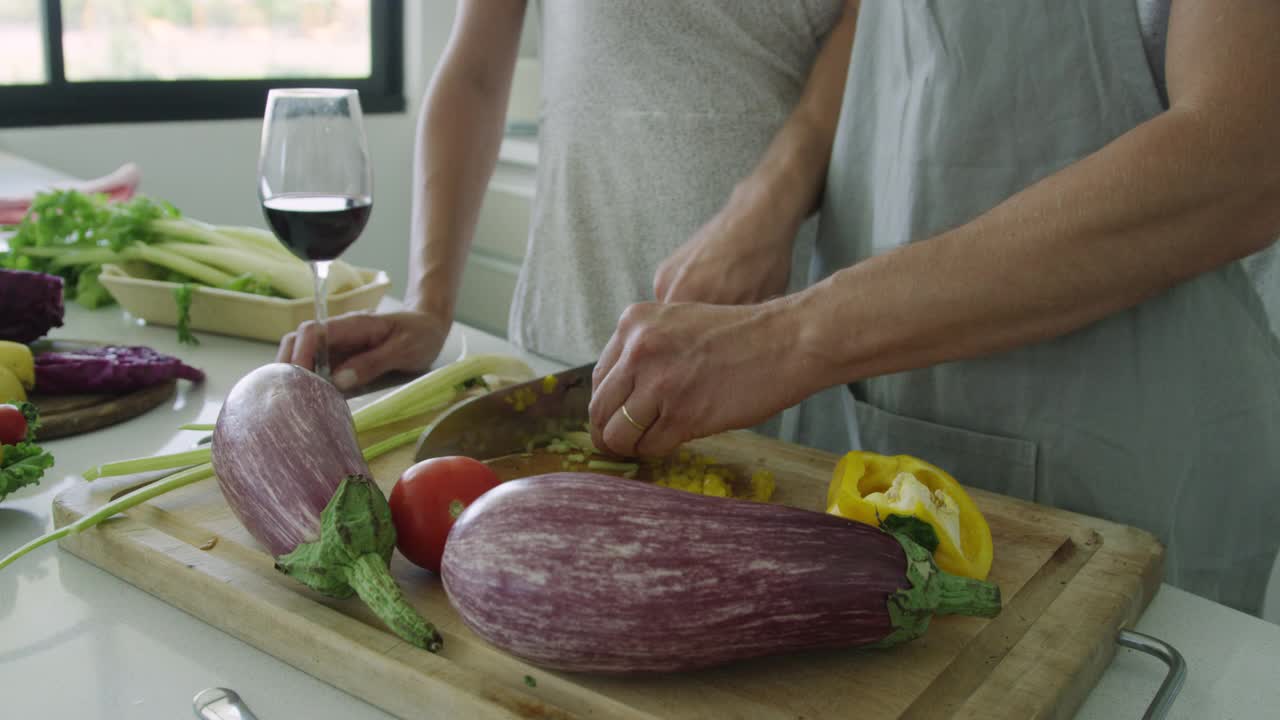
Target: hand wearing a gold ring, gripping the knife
x=688 y=371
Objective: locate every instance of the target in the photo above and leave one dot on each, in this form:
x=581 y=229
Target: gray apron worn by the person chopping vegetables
x=1165 y=417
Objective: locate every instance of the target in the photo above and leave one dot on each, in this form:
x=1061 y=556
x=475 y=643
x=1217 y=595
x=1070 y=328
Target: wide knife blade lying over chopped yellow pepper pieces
x=506 y=421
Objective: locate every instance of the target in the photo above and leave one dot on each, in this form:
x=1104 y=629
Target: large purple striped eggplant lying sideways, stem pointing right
x=591 y=573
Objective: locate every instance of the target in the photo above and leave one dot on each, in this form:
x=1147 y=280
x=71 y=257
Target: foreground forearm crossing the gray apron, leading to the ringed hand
x=1174 y=198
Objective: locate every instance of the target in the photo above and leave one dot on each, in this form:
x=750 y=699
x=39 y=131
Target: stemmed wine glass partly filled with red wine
x=316 y=183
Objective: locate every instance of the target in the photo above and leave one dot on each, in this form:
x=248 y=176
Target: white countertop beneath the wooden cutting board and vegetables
x=76 y=642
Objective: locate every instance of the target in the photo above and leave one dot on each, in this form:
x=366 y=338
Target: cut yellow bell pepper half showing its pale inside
x=868 y=487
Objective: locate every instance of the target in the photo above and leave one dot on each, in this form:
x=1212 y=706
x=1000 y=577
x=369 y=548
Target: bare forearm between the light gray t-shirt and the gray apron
x=788 y=181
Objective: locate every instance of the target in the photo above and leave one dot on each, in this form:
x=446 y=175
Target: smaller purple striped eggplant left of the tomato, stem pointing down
x=292 y=472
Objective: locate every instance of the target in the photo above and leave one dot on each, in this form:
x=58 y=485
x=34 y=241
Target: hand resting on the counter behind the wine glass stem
x=363 y=347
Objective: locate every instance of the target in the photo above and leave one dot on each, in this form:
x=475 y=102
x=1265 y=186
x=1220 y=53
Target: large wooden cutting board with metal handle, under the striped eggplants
x=1069 y=584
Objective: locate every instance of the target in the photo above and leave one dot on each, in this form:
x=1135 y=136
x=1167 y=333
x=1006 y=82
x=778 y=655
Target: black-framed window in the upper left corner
x=138 y=61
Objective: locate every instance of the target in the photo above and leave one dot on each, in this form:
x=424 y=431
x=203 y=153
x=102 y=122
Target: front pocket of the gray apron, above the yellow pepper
x=993 y=463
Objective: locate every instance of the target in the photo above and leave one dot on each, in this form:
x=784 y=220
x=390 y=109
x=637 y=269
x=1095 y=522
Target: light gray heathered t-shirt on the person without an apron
x=652 y=112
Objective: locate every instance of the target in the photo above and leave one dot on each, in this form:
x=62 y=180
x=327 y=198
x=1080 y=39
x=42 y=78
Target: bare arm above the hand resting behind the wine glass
x=459 y=135
